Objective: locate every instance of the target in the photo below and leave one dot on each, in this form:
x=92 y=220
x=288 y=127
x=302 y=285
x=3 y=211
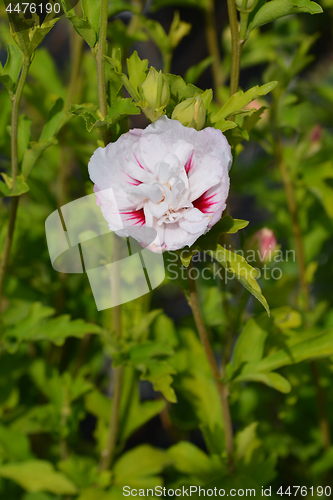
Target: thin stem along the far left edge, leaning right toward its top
x=16 y=100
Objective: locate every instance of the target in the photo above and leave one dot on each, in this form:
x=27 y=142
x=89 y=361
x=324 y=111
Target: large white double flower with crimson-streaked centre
x=167 y=177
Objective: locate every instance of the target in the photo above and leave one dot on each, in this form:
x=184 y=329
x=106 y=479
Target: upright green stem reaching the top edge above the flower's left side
x=100 y=59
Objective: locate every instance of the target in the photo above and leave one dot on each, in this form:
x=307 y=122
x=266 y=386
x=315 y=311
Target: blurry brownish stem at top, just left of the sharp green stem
x=213 y=46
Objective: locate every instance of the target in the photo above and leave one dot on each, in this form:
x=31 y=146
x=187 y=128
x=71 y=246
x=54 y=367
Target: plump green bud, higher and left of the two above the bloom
x=155 y=89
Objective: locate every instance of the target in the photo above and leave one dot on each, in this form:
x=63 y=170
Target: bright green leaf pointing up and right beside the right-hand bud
x=240 y=99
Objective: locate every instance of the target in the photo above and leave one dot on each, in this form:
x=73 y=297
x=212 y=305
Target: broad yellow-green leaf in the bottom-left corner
x=38 y=475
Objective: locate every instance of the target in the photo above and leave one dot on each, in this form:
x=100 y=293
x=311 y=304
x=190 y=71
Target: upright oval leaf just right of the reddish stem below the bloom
x=250 y=344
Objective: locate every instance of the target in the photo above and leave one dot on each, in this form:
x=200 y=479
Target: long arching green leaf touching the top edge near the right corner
x=279 y=8
